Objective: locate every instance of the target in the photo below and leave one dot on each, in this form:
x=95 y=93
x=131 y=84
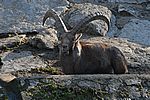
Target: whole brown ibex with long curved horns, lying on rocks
x=83 y=57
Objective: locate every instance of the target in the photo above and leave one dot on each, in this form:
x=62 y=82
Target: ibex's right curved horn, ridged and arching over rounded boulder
x=88 y=19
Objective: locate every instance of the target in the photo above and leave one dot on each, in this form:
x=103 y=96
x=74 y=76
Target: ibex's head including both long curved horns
x=69 y=38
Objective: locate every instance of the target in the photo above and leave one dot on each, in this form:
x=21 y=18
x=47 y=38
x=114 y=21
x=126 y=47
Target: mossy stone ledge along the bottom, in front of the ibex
x=127 y=86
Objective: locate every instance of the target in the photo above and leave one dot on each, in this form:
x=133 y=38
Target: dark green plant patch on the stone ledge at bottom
x=55 y=91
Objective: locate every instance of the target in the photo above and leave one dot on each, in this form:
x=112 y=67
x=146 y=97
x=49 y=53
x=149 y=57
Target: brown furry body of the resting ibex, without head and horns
x=95 y=58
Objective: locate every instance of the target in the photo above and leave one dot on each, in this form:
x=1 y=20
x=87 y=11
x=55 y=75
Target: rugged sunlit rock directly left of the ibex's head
x=46 y=39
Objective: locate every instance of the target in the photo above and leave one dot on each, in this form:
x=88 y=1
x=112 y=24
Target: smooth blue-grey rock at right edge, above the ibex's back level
x=137 y=31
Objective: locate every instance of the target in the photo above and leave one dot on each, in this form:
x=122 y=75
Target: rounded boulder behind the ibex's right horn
x=79 y=11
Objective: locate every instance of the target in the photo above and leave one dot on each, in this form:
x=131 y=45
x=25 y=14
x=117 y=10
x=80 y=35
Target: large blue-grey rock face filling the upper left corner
x=25 y=15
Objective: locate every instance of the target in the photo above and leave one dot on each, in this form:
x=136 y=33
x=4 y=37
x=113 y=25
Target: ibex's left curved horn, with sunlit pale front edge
x=52 y=13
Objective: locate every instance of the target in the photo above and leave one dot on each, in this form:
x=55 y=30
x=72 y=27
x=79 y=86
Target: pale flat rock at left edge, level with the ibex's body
x=20 y=60
